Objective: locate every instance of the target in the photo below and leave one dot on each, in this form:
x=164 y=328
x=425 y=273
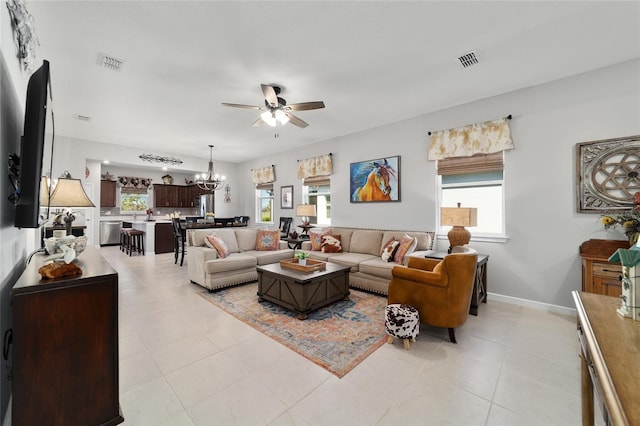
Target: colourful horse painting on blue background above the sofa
x=375 y=180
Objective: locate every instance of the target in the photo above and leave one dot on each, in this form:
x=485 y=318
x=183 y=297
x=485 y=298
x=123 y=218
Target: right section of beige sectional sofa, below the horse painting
x=361 y=251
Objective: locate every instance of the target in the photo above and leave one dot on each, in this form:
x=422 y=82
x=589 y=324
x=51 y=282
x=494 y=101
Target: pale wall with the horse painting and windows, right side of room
x=540 y=260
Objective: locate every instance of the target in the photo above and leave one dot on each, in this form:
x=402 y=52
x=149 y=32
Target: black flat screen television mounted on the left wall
x=31 y=149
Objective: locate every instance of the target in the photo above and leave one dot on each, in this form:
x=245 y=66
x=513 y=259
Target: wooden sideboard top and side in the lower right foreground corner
x=610 y=359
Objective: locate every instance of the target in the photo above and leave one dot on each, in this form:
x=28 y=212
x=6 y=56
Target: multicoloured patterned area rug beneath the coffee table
x=337 y=337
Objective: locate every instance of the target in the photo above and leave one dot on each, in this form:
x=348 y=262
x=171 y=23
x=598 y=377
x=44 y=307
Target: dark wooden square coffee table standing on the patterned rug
x=302 y=292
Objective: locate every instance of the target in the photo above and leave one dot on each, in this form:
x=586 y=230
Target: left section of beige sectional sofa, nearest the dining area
x=205 y=268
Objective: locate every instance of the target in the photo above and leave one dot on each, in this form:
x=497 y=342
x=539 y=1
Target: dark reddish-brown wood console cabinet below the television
x=65 y=346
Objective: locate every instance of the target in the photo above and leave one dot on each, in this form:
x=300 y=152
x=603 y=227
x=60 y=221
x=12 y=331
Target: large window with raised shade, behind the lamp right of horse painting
x=476 y=181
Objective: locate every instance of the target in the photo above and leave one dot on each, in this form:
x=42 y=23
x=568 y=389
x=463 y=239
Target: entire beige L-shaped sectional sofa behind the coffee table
x=361 y=251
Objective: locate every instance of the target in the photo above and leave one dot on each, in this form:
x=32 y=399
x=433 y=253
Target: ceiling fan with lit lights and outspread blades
x=276 y=109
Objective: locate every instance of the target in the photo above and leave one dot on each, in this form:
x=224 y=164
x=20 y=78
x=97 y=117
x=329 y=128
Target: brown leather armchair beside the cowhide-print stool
x=439 y=289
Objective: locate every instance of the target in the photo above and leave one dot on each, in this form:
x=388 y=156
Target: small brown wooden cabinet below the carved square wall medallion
x=598 y=274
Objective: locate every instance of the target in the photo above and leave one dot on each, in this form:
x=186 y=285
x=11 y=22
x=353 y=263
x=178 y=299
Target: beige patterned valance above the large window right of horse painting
x=480 y=138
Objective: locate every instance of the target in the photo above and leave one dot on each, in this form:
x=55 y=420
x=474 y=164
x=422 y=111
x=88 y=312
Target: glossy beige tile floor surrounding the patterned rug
x=185 y=362
